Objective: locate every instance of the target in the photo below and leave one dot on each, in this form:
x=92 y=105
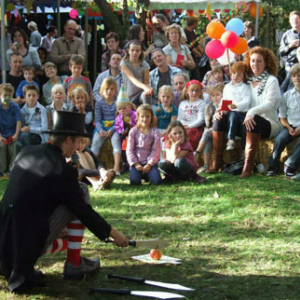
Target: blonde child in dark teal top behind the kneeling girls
x=166 y=111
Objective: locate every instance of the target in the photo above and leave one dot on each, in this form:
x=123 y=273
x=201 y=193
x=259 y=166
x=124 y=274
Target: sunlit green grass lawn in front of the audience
x=238 y=240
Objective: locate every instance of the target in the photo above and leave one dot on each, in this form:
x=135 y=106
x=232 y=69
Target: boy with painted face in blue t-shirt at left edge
x=10 y=126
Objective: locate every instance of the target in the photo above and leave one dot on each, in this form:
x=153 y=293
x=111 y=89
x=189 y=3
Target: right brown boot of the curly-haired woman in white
x=252 y=140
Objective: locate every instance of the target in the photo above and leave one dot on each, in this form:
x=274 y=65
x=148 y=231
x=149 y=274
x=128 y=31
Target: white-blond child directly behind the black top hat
x=58 y=96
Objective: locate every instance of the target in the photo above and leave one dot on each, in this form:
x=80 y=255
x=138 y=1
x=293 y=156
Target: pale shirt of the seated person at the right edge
x=290 y=107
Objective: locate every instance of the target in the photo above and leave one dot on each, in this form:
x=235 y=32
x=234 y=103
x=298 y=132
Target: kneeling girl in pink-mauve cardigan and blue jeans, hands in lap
x=143 y=148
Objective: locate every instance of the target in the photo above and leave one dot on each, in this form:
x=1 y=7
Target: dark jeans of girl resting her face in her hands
x=180 y=169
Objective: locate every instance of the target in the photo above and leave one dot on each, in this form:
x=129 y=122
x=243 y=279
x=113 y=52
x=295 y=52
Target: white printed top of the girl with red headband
x=192 y=113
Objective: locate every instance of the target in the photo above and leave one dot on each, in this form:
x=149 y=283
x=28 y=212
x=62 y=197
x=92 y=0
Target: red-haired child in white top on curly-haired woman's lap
x=239 y=93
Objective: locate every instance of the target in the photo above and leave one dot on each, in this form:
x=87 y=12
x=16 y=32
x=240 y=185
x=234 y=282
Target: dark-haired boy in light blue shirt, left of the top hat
x=34 y=119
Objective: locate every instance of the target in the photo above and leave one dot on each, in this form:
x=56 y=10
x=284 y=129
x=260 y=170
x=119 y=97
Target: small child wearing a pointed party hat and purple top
x=125 y=120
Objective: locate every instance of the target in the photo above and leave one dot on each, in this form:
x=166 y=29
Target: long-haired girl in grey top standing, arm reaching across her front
x=136 y=74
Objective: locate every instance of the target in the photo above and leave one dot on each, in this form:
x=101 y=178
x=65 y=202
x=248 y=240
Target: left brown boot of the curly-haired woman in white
x=218 y=147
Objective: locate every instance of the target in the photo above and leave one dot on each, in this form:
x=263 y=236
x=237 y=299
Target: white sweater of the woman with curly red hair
x=266 y=104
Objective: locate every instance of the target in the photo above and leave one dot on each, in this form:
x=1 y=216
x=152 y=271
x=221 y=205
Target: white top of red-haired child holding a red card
x=240 y=95
